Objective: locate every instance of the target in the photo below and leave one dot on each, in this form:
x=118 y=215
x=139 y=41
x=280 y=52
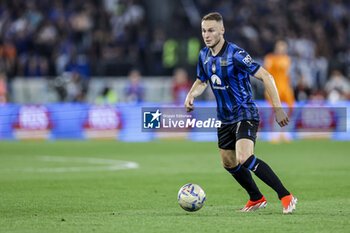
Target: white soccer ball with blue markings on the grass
x=191 y=197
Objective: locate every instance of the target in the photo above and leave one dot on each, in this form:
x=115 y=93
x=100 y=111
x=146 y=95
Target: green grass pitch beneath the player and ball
x=75 y=187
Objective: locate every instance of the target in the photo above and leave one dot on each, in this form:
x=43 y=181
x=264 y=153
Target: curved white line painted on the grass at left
x=110 y=165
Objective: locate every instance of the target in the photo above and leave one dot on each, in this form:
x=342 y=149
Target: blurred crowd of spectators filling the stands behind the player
x=75 y=39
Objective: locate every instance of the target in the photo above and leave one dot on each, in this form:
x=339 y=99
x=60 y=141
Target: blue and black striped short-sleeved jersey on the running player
x=228 y=74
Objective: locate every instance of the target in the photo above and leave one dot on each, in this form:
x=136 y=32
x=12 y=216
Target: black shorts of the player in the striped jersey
x=229 y=134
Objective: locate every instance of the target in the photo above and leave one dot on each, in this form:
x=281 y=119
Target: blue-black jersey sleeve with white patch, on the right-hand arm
x=245 y=62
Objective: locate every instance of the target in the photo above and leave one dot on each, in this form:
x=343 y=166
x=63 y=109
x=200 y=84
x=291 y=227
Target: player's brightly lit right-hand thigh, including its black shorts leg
x=246 y=134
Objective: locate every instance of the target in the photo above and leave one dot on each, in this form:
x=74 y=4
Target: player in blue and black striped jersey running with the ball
x=226 y=67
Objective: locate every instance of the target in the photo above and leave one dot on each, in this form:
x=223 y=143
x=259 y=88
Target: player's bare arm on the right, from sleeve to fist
x=269 y=83
